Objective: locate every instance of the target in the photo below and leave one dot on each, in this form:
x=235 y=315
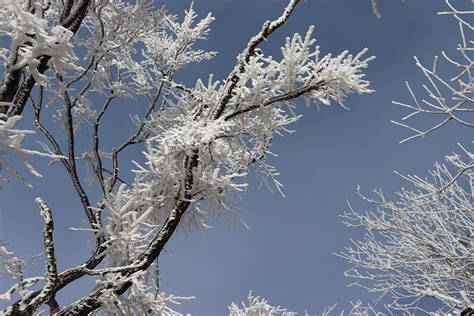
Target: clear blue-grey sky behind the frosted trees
x=287 y=255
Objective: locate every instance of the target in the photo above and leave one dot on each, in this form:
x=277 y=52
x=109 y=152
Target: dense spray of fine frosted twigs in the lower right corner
x=421 y=244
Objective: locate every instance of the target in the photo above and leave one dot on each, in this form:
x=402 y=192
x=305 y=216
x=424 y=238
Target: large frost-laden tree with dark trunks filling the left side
x=83 y=57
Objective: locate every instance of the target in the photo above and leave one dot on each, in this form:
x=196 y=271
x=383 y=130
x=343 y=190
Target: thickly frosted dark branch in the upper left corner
x=35 y=44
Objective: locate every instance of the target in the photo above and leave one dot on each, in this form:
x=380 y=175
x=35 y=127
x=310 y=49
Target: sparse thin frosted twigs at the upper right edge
x=450 y=100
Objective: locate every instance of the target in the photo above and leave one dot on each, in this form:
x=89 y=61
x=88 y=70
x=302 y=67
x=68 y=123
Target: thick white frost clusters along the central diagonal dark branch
x=195 y=159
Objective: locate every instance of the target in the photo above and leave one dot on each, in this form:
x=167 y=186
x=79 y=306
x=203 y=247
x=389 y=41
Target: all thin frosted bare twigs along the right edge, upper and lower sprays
x=421 y=243
